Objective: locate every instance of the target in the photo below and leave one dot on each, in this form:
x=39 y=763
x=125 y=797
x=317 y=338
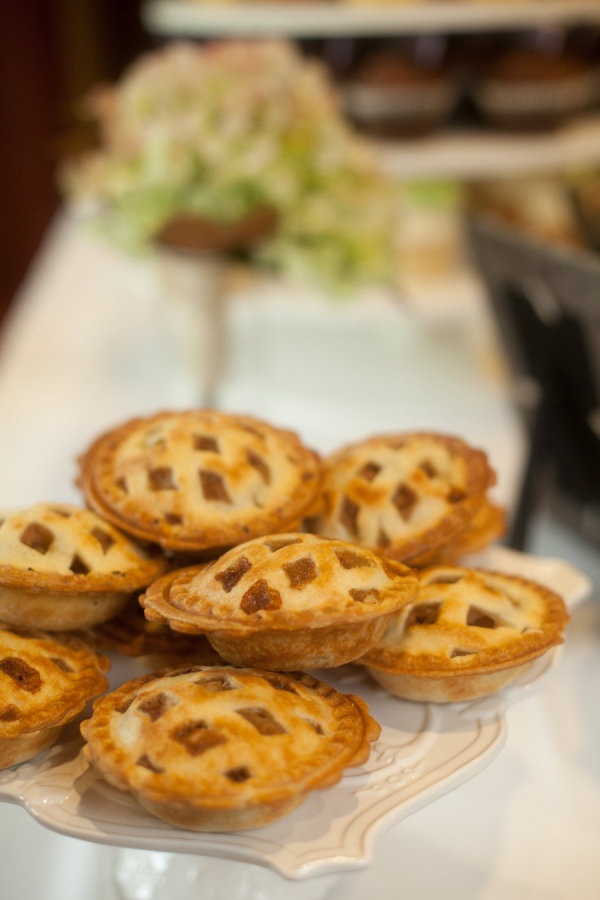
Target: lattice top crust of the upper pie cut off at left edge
x=62 y=548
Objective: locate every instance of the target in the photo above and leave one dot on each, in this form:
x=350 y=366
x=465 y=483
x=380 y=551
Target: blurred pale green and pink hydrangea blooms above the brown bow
x=218 y=129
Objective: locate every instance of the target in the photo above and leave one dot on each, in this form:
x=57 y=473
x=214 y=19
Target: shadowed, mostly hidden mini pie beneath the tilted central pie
x=132 y=634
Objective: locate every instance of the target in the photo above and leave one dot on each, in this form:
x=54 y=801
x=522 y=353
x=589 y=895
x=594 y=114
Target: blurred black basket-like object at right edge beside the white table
x=546 y=302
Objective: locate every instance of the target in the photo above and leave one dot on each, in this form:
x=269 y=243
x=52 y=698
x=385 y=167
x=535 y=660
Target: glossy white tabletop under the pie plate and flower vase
x=89 y=342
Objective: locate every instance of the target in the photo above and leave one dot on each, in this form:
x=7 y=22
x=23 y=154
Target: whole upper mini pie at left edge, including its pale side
x=65 y=568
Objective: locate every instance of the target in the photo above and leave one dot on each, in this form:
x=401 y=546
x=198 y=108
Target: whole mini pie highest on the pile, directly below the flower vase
x=200 y=481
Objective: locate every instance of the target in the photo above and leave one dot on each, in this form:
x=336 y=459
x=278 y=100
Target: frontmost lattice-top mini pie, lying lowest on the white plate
x=225 y=749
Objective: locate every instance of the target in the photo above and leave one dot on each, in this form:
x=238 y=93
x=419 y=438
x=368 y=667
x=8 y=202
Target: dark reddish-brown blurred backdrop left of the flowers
x=51 y=53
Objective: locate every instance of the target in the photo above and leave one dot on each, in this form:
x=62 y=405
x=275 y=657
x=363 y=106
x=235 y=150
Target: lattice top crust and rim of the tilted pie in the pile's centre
x=284 y=582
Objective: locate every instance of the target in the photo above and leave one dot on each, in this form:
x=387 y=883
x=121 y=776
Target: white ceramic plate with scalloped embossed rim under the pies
x=424 y=751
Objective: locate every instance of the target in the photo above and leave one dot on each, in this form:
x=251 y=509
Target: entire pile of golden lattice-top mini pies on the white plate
x=223 y=549
